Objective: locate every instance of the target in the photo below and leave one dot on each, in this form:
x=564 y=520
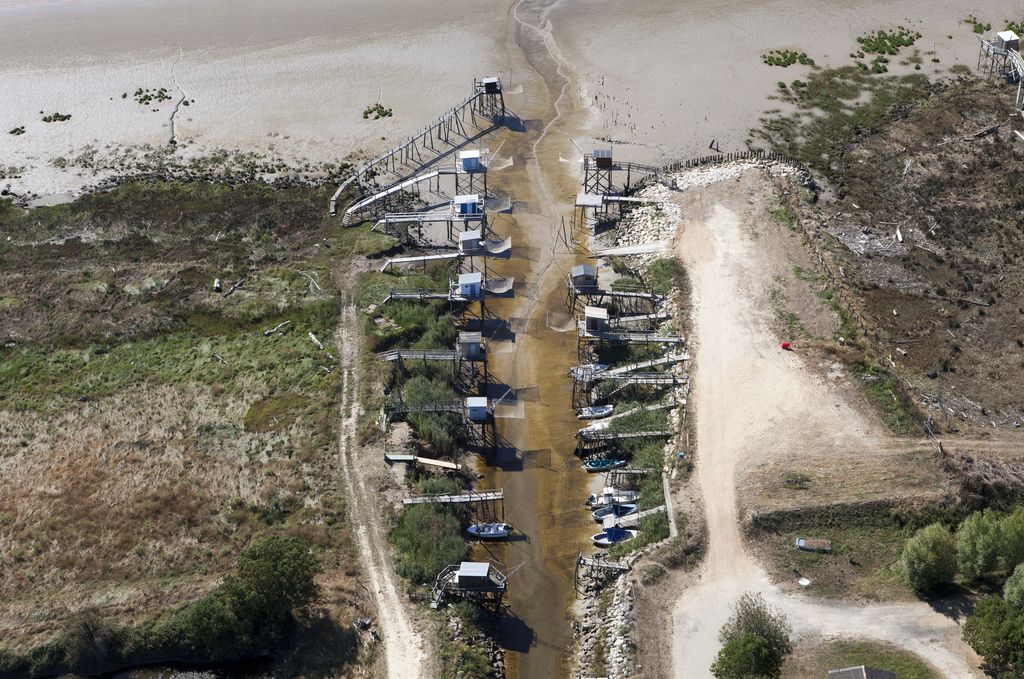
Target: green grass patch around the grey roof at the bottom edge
x=837 y=655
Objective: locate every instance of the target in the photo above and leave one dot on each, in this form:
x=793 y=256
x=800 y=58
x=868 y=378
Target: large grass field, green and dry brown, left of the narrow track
x=152 y=429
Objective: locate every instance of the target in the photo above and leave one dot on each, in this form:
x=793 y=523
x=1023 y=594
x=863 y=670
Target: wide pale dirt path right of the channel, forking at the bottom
x=753 y=400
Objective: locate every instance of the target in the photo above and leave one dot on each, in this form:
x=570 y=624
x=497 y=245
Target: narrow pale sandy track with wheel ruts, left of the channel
x=404 y=646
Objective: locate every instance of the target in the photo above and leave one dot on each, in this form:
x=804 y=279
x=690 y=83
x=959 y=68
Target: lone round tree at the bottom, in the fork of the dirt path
x=752 y=617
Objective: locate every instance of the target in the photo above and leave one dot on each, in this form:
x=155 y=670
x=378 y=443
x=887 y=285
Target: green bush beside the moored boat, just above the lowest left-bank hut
x=429 y=538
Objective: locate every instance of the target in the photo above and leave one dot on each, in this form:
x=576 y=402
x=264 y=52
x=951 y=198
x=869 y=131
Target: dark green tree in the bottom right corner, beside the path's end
x=997 y=633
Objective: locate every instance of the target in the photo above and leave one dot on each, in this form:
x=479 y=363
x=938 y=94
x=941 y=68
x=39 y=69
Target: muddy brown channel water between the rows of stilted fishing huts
x=543 y=483
